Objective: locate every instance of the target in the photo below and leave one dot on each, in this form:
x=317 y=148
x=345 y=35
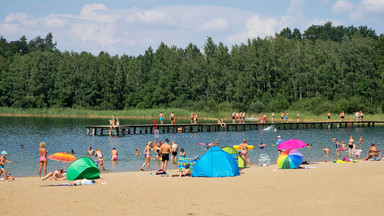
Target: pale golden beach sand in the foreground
x=326 y=189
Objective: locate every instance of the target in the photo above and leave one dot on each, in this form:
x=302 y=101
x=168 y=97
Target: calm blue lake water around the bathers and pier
x=65 y=134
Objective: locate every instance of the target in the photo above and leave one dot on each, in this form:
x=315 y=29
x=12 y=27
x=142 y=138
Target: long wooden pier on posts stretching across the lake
x=210 y=127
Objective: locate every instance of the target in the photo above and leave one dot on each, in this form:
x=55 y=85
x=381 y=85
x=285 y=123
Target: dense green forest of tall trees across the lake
x=325 y=68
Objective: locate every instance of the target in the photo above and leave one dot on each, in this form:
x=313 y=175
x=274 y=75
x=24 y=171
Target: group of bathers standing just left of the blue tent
x=163 y=152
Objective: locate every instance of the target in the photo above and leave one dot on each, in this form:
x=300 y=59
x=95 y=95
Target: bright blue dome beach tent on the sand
x=215 y=163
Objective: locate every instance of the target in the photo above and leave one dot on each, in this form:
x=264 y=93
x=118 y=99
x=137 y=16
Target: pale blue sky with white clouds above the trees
x=132 y=26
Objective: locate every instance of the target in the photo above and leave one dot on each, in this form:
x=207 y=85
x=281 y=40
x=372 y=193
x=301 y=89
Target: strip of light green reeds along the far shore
x=183 y=114
